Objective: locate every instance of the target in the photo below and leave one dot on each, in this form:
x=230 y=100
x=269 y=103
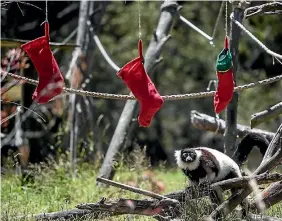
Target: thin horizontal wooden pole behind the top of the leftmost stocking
x=15 y=43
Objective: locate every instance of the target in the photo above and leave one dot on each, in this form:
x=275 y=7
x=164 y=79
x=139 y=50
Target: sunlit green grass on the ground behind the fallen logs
x=55 y=189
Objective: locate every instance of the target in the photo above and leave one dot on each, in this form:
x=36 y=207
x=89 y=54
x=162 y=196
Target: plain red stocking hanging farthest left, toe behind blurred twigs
x=51 y=81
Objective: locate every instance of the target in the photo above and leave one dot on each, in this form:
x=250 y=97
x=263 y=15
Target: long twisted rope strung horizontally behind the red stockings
x=166 y=97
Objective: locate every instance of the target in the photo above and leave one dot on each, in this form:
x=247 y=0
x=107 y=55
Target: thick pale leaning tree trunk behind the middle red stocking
x=168 y=11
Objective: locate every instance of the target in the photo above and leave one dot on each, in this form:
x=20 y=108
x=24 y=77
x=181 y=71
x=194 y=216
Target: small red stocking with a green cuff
x=226 y=83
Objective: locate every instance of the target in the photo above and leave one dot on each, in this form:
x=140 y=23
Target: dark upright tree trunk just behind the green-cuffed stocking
x=230 y=133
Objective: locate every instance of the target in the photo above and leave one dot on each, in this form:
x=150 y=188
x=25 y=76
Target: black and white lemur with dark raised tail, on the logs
x=202 y=164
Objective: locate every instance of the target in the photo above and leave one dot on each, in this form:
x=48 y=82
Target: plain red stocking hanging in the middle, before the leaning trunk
x=138 y=81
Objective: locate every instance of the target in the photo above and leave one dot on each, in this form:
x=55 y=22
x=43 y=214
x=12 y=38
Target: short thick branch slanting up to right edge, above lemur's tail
x=265 y=115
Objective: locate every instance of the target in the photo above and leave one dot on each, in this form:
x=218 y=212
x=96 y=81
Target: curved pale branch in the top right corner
x=265 y=9
